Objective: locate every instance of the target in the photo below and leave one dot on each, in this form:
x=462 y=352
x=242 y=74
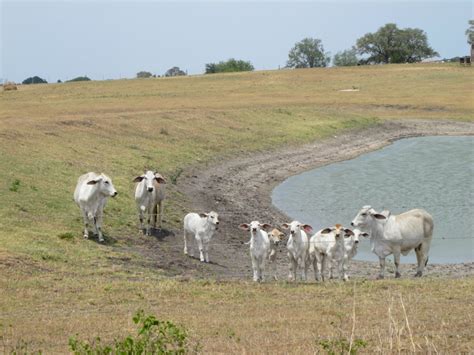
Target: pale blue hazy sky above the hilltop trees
x=108 y=39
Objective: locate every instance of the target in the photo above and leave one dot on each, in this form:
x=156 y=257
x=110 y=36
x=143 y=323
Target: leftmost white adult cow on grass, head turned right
x=91 y=194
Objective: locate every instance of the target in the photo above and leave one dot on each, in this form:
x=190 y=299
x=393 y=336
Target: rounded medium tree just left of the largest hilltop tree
x=308 y=53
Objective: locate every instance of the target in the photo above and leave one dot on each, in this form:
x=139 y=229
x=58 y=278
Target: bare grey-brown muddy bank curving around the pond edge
x=239 y=189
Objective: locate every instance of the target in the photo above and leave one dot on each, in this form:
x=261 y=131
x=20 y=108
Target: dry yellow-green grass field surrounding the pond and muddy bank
x=54 y=284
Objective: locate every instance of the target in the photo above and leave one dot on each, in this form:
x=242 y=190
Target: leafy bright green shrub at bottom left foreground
x=153 y=337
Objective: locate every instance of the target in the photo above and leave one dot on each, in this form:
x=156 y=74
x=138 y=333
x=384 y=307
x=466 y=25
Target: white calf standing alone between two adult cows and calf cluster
x=202 y=226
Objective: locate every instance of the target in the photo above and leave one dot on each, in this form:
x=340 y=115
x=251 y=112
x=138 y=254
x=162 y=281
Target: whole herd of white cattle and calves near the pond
x=331 y=247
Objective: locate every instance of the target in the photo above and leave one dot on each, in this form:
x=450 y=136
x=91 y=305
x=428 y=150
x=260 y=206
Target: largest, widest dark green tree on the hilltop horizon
x=393 y=45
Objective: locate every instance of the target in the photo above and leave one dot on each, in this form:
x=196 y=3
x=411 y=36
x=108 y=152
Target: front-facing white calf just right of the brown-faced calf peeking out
x=298 y=248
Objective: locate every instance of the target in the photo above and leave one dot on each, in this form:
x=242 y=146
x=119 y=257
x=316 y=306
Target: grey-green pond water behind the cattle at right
x=433 y=173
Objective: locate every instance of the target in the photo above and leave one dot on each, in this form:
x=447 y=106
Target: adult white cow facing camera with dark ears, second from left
x=149 y=196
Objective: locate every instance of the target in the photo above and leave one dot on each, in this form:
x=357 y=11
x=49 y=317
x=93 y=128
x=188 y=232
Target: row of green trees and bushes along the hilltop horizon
x=389 y=44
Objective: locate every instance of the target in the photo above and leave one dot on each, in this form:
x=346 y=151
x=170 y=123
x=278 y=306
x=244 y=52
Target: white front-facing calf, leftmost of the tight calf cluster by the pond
x=259 y=247
